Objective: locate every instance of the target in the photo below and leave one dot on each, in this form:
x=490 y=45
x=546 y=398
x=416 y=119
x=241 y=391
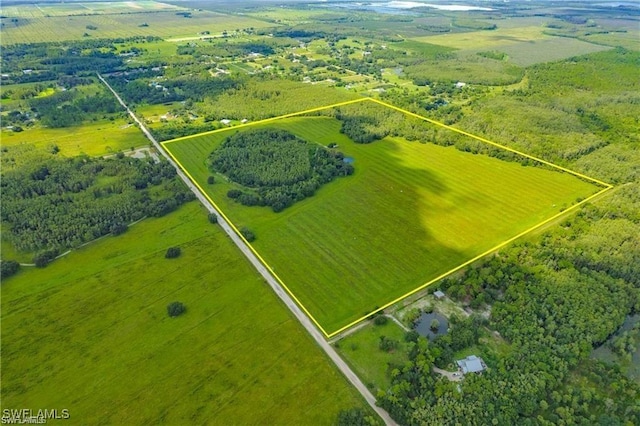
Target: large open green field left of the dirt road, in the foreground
x=90 y=333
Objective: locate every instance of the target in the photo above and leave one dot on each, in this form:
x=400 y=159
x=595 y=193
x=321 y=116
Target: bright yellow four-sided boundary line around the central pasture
x=606 y=188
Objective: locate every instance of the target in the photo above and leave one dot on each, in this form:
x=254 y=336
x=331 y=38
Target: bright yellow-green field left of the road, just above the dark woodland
x=97 y=138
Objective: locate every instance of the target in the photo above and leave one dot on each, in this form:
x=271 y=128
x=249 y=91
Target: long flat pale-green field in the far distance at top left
x=165 y=24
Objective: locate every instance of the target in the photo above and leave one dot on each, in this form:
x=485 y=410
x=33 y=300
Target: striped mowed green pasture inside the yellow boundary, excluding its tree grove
x=410 y=213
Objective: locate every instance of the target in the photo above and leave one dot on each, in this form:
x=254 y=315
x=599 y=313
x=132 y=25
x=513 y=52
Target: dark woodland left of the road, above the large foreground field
x=58 y=203
